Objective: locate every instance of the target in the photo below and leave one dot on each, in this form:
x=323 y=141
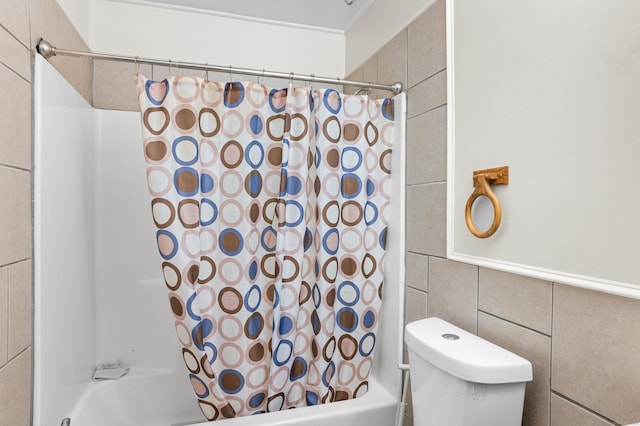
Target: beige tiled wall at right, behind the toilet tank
x=583 y=344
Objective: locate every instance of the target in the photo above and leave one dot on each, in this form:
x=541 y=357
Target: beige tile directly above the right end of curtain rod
x=392 y=62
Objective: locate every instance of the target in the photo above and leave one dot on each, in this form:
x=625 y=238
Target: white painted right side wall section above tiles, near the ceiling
x=380 y=23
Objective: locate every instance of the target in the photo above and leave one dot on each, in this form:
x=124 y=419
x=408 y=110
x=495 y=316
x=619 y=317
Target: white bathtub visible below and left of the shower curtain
x=165 y=398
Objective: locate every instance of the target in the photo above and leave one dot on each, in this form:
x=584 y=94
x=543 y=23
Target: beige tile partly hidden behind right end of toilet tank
x=534 y=347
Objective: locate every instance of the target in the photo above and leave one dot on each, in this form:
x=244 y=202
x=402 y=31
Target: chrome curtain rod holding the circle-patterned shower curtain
x=47 y=51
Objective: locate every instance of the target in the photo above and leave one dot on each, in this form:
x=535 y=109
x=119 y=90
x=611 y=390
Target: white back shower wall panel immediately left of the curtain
x=132 y=320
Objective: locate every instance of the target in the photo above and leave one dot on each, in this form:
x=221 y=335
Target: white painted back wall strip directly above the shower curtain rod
x=130 y=29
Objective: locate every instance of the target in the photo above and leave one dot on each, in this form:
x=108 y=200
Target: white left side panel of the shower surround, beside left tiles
x=64 y=325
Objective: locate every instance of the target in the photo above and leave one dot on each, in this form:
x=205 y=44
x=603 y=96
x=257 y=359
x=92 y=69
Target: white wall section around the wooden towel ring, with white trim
x=550 y=89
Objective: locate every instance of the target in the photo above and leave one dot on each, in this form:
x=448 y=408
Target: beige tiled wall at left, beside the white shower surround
x=22 y=23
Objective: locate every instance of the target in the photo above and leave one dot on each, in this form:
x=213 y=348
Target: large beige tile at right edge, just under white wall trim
x=596 y=342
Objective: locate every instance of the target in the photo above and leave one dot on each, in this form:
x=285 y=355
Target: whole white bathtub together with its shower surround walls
x=96 y=298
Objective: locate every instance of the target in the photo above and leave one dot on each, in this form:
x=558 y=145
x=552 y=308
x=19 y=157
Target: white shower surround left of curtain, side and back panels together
x=99 y=293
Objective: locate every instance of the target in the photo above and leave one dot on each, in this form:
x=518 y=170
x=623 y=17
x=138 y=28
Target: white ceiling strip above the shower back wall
x=325 y=15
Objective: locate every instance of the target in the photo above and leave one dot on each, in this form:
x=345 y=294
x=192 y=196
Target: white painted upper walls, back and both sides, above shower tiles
x=128 y=29
